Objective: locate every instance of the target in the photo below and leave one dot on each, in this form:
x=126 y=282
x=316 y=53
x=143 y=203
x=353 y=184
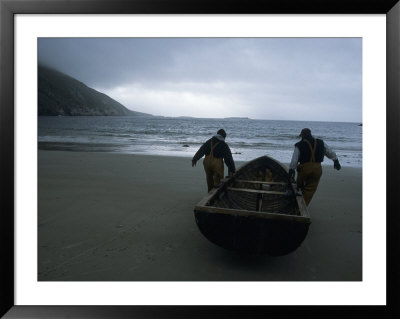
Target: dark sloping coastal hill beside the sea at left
x=60 y=94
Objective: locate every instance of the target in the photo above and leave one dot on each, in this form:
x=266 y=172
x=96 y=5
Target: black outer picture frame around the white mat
x=8 y=10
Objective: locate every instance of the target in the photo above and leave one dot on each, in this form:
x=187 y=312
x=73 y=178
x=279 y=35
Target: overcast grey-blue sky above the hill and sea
x=318 y=79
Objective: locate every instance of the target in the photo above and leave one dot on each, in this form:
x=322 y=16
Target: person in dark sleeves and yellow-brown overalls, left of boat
x=215 y=149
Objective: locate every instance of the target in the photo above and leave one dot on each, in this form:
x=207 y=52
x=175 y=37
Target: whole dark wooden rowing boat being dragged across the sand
x=256 y=211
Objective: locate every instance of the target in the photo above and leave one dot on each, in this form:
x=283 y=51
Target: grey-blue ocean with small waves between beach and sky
x=247 y=138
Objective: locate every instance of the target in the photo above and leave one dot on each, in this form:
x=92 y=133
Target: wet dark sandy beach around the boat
x=120 y=217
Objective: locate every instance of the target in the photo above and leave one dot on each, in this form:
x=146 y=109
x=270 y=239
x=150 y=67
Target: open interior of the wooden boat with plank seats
x=260 y=187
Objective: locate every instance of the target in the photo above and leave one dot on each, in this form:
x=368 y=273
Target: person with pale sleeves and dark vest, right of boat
x=310 y=152
